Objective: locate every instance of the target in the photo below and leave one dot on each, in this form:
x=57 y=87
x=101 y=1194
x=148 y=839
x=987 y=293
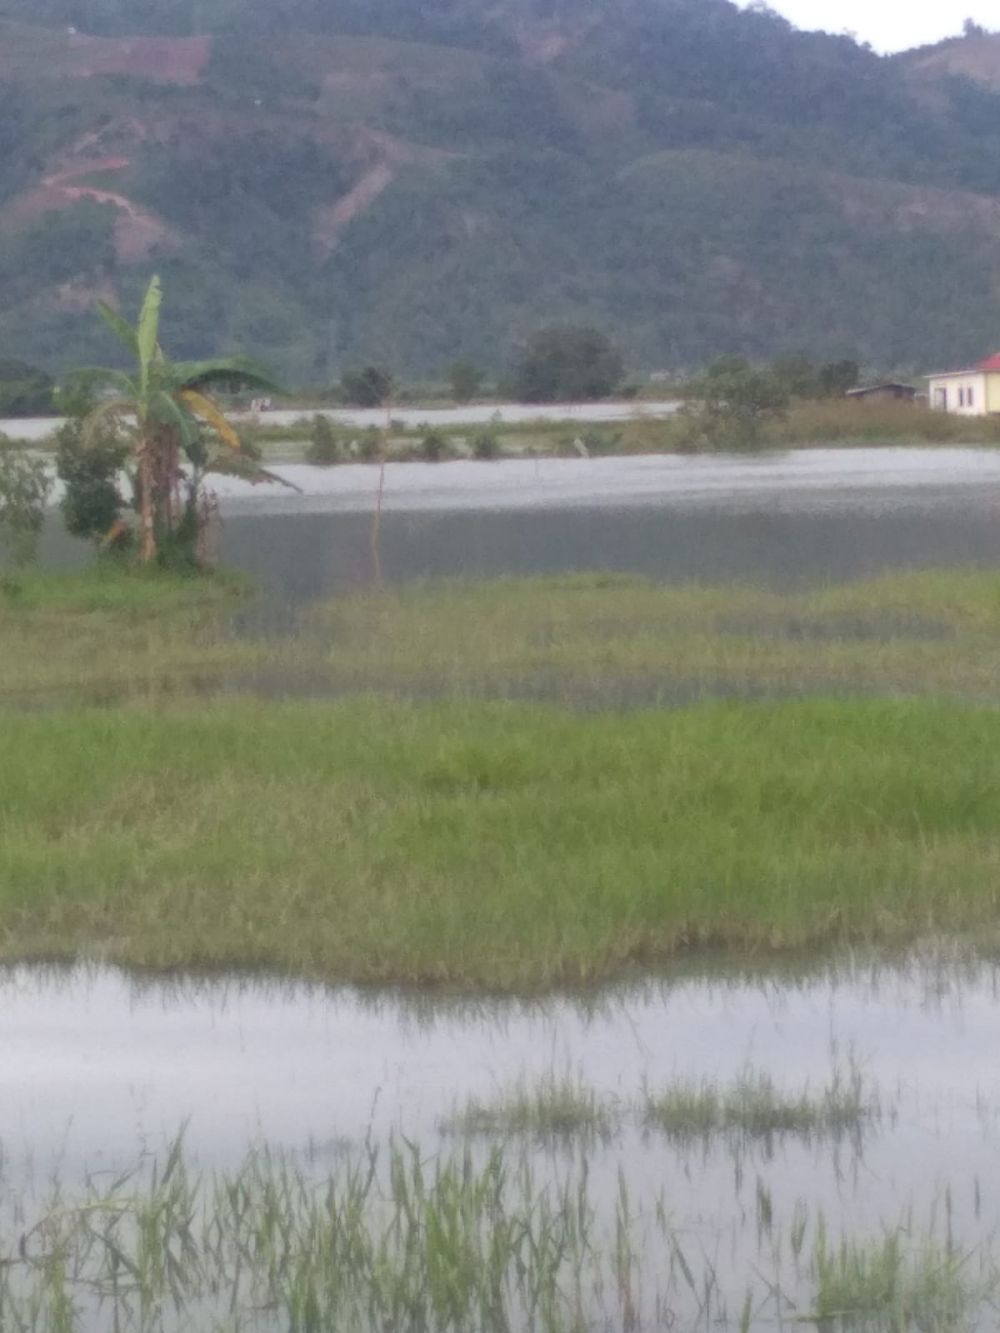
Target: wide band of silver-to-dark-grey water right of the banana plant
x=813 y=515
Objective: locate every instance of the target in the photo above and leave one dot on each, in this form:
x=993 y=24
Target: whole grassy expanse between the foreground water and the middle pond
x=511 y=844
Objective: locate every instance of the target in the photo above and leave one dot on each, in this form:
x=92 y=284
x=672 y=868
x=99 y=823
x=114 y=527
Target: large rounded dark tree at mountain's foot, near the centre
x=566 y=363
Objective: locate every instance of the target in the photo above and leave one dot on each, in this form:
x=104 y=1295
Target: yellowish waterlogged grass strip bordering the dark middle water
x=607 y=641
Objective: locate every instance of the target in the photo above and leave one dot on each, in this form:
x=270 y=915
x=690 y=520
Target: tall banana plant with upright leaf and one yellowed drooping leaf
x=178 y=431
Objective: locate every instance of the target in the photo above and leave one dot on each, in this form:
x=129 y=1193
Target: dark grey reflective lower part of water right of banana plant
x=303 y=557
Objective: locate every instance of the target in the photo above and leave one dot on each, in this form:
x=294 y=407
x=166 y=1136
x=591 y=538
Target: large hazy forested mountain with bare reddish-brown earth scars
x=327 y=182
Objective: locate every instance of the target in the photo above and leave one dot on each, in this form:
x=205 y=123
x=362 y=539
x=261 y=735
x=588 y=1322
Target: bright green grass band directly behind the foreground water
x=497 y=846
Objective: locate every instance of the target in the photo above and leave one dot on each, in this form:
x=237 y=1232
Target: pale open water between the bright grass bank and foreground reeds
x=99 y=1068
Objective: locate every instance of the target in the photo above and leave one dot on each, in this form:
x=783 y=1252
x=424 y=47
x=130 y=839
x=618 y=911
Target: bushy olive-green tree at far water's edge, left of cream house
x=734 y=403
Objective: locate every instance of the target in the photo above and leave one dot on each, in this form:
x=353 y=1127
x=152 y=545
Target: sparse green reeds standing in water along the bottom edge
x=487 y=1244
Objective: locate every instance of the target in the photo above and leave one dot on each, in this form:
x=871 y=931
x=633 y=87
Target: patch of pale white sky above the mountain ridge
x=891 y=25
